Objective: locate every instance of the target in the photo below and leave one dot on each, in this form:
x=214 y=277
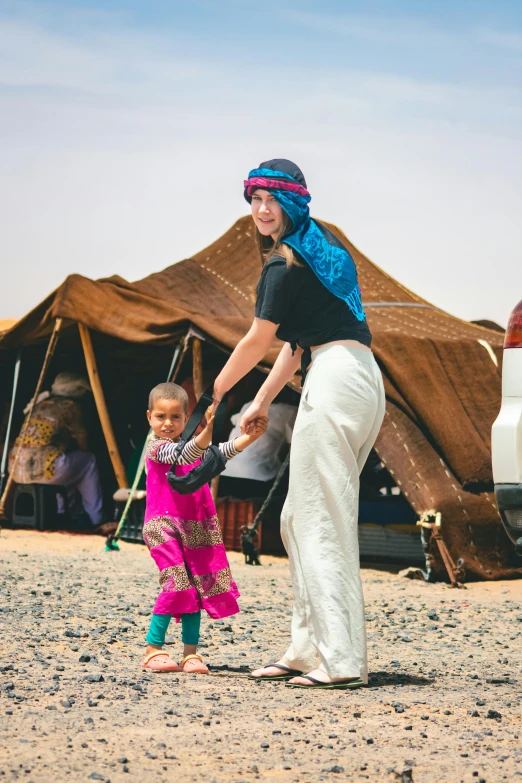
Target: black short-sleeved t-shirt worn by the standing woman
x=307 y=313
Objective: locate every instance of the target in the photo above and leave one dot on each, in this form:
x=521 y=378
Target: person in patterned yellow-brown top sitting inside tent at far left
x=54 y=449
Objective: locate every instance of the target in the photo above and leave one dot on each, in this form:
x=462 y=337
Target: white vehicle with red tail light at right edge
x=506 y=435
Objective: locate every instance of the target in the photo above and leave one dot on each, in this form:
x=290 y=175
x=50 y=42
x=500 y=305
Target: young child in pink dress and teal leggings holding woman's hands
x=182 y=533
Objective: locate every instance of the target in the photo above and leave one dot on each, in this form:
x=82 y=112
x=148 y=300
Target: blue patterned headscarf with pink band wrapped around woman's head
x=322 y=251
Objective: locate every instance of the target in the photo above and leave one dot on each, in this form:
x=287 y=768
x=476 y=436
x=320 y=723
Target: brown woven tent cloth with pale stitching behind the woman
x=442 y=376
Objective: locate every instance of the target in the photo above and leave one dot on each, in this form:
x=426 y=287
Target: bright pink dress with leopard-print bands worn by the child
x=183 y=535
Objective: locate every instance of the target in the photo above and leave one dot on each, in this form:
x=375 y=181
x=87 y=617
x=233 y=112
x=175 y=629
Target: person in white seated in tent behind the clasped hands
x=252 y=473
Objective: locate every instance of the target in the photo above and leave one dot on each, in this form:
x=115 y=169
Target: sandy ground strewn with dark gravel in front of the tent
x=444 y=702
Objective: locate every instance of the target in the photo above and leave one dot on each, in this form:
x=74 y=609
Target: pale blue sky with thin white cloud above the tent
x=128 y=127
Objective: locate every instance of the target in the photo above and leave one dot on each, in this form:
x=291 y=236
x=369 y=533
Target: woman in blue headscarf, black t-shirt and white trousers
x=308 y=297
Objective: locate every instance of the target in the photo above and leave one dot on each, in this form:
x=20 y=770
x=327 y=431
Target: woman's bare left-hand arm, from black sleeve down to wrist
x=248 y=352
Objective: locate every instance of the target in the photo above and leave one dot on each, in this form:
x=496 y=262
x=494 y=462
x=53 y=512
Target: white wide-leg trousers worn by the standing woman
x=340 y=414
